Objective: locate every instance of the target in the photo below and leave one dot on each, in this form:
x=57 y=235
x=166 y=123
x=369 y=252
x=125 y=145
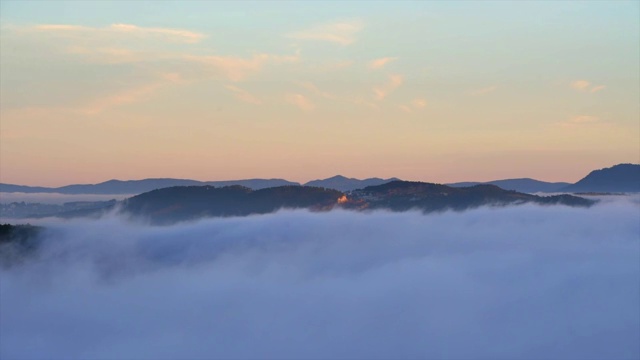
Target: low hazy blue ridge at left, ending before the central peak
x=117 y=187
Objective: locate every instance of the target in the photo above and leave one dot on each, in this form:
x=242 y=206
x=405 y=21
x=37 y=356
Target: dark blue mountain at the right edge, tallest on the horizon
x=618 y=178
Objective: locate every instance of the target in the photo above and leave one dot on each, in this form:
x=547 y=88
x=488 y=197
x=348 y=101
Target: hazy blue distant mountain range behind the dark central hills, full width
x=619 y=178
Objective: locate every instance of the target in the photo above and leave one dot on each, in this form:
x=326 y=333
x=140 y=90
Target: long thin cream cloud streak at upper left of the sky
x=169 y=34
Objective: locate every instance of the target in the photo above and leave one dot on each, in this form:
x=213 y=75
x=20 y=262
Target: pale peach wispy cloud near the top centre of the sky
x=343 y=32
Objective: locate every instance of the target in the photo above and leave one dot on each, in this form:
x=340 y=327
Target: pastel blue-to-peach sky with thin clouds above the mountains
x=421 y=90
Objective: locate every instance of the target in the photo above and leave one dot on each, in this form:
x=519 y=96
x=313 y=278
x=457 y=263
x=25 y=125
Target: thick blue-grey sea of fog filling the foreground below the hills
x=522 y=282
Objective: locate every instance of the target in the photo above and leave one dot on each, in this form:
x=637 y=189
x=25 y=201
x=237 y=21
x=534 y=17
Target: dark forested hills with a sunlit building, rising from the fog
x=169 y=205
